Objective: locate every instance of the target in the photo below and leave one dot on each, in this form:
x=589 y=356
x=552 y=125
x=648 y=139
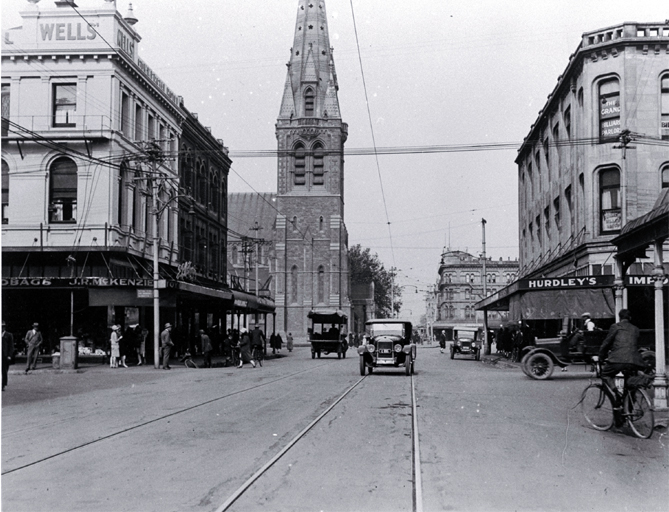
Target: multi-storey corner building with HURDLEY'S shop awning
x=595 y=159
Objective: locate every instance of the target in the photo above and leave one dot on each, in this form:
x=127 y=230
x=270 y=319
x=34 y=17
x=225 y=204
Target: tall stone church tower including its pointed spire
x=311 y=241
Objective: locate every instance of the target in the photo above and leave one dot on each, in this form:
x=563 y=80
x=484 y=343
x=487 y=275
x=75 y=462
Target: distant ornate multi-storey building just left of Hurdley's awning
x=461 y=286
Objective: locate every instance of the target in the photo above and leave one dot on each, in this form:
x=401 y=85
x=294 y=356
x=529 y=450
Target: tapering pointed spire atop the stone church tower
x=311 y=65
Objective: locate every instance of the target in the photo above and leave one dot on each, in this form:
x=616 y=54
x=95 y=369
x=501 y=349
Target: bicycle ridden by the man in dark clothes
x=633 y=407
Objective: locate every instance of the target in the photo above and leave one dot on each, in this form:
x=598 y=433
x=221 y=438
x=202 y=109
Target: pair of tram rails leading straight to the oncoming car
x=417 y=494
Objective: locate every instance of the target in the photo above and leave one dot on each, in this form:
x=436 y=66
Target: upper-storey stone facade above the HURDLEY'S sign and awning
x=595 y=157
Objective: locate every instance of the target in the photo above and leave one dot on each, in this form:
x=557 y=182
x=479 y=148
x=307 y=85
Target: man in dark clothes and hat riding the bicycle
x=621 y=348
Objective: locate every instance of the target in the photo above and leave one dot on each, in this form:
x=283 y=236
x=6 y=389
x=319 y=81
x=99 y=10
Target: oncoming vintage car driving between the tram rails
x=387 y=344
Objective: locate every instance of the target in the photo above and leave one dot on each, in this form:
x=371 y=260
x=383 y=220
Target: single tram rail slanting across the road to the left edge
x=157 y=419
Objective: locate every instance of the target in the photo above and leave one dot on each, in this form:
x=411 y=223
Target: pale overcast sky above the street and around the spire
x=436 y=73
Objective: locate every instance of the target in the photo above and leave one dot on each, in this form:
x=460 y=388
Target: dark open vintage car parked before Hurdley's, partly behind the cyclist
x=578 y=347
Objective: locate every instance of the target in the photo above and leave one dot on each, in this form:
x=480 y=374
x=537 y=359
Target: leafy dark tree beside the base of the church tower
x=365 y=267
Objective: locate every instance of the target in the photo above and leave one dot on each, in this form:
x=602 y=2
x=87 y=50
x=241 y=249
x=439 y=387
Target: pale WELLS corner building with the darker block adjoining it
x=90 y=164
